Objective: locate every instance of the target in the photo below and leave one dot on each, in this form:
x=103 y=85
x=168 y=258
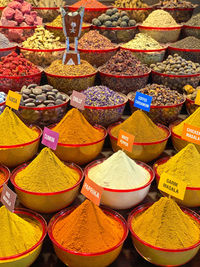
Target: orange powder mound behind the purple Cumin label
x=75 y=129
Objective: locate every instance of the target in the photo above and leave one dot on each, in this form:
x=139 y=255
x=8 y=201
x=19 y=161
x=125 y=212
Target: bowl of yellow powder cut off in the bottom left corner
x=23 y=236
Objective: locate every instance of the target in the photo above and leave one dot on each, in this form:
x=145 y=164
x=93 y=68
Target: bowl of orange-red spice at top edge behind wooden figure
x=93 y=9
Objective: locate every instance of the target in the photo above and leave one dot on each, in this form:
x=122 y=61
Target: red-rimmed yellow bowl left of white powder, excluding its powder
x=47 y=202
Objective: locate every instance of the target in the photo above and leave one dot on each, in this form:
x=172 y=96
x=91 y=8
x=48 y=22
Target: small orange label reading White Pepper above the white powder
x=125 y=141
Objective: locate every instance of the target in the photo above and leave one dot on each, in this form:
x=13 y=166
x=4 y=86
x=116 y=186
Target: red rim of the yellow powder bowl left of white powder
x=24 y=165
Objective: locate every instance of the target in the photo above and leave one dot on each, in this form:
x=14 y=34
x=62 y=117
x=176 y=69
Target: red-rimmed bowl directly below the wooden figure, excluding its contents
x=67 y=84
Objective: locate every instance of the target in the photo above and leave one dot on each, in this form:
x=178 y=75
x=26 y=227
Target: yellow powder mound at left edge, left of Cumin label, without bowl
x=13 y=131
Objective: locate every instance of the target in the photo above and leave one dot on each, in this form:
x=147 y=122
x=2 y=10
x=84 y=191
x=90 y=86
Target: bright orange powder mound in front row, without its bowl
x=88 y=230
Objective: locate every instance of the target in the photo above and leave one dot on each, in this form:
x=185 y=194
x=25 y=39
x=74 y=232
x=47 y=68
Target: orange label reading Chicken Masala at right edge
x=191 y=134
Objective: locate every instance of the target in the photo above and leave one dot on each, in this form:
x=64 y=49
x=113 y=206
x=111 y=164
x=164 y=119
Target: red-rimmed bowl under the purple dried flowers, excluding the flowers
x=105 y=115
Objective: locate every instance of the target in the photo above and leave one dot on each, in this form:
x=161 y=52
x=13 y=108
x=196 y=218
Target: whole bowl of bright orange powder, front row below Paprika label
x=90 y=236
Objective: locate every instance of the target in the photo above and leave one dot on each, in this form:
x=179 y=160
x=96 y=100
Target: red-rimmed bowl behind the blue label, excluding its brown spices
x=160 y=114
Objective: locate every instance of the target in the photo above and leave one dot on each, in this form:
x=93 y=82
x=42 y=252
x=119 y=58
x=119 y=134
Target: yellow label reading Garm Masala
x=172 y=186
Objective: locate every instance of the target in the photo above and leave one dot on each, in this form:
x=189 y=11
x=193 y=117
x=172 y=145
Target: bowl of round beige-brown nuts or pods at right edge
x=175 y=72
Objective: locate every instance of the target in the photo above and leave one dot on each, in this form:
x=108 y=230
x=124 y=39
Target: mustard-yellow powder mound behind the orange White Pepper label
x=142 y=127
